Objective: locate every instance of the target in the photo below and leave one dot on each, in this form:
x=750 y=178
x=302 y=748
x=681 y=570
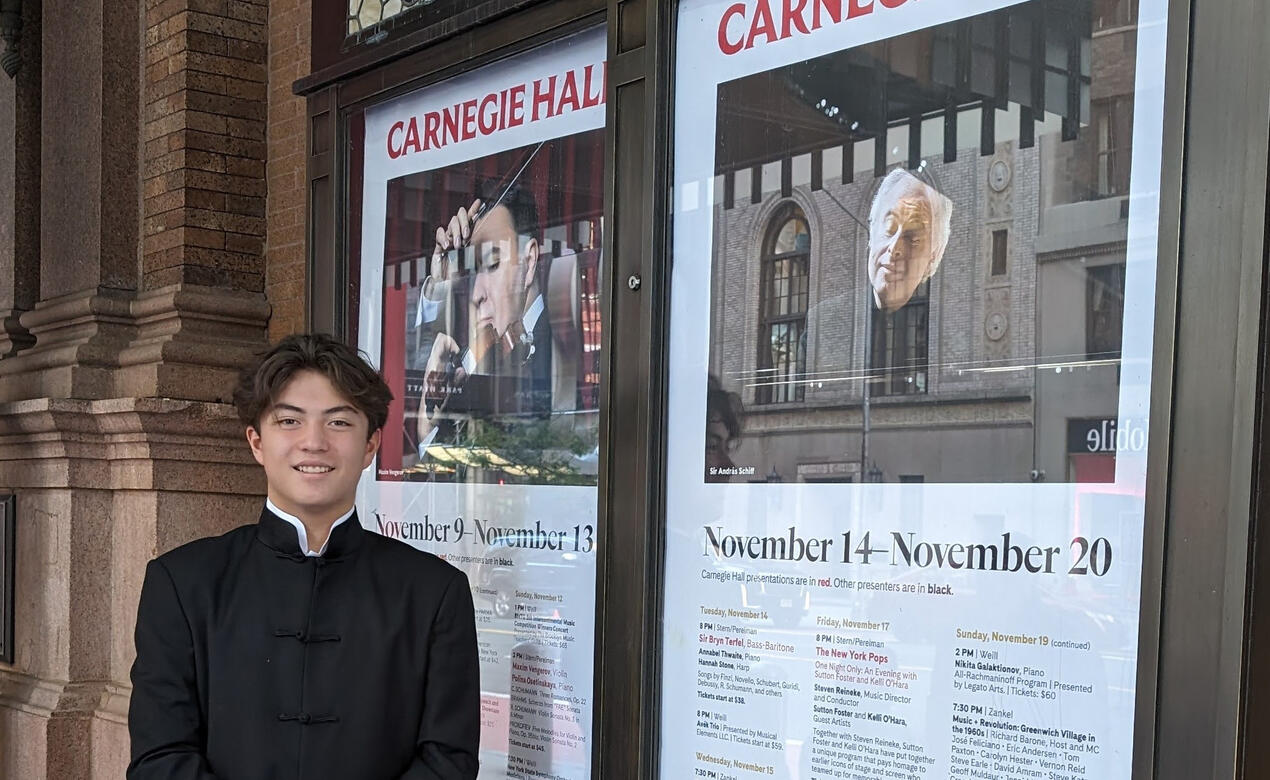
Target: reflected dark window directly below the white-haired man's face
x=900 y=349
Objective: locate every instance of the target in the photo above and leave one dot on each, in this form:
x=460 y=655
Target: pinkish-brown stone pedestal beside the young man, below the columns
x=104 y=487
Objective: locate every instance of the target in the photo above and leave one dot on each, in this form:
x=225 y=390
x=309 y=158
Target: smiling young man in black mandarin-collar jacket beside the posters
x=304 y=646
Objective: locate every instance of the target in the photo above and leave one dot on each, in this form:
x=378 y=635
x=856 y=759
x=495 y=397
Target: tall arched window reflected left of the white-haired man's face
x=783 y=308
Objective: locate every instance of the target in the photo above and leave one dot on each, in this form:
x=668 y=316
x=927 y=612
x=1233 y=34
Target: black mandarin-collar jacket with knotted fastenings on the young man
x=256 y=661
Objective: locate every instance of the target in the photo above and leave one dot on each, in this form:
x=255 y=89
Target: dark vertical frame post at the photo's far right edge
x=1202 y=496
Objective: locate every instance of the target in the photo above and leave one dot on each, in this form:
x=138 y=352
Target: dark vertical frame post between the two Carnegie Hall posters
x=633 y=449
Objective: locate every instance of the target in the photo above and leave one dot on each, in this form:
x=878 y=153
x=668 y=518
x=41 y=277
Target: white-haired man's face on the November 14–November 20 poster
x=900 y=243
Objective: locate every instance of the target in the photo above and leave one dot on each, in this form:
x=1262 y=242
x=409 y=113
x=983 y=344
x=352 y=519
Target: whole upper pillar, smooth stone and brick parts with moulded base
x=137 y=228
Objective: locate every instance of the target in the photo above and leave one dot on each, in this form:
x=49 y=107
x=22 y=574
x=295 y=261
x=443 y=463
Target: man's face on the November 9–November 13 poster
x=505 y=271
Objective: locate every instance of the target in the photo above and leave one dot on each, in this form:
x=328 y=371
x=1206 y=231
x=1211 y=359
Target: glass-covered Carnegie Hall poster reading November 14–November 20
x=907 y=459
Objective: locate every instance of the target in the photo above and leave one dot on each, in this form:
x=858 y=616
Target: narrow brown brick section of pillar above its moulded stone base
x=205 y=144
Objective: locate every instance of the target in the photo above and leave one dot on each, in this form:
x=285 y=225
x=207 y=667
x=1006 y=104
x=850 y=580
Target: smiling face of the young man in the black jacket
x=314 y=445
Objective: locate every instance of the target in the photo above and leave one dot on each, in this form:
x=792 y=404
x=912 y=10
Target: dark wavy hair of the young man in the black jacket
x=347 y=370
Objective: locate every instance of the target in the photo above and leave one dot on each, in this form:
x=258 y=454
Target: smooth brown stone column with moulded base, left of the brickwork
x=88 y=201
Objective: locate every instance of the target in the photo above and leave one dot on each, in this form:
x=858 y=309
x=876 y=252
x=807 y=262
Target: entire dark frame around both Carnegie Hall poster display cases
x=1203 y=680
